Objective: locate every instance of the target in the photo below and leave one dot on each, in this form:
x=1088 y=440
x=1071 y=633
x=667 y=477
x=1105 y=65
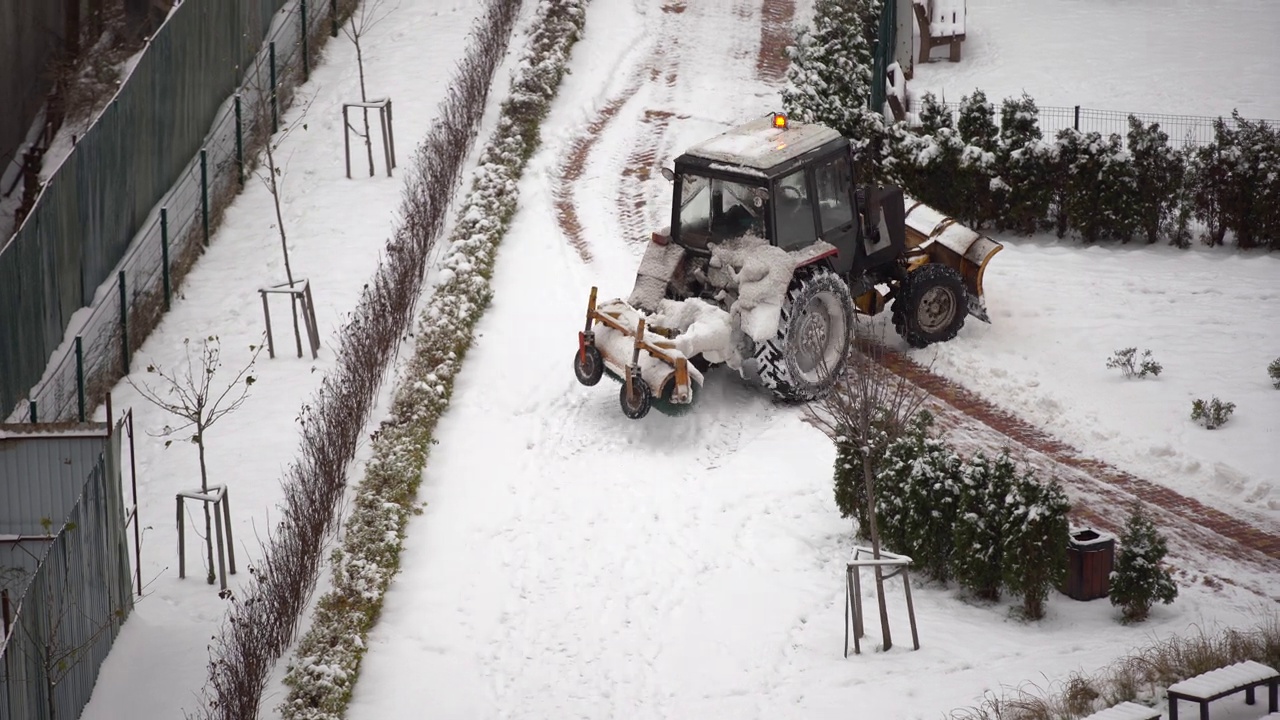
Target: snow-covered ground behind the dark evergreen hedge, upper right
x=1169 y=57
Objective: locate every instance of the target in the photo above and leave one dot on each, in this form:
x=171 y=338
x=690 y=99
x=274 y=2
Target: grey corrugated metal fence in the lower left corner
x=62 y=627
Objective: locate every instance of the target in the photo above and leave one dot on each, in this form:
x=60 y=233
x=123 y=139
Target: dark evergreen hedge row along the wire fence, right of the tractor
x=1002 y=172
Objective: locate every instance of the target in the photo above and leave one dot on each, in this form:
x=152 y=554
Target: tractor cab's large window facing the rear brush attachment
x=715 y=211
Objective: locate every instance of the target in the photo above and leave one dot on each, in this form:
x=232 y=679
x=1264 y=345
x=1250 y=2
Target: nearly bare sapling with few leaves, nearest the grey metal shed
x=195 y=400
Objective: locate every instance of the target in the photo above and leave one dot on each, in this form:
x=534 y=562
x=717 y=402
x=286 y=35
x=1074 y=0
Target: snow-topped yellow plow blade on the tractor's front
x=953 y=244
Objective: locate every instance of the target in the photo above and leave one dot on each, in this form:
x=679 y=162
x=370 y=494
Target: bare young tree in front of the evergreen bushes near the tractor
x=868 y=408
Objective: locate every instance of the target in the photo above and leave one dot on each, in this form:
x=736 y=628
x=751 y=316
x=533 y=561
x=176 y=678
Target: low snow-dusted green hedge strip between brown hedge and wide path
x=327 y=664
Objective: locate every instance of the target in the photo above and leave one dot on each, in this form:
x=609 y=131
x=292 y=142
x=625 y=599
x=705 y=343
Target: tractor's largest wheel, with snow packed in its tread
x=815 y=330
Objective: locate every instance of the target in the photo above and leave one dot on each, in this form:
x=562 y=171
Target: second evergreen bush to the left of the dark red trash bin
x=981 y=526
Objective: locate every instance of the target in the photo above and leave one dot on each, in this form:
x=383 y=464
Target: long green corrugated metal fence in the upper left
x=104 y=194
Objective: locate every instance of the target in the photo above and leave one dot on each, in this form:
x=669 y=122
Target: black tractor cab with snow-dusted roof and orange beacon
x=789 y=184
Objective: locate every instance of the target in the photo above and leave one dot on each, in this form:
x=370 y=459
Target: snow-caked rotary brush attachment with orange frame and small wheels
x=647 y=362
